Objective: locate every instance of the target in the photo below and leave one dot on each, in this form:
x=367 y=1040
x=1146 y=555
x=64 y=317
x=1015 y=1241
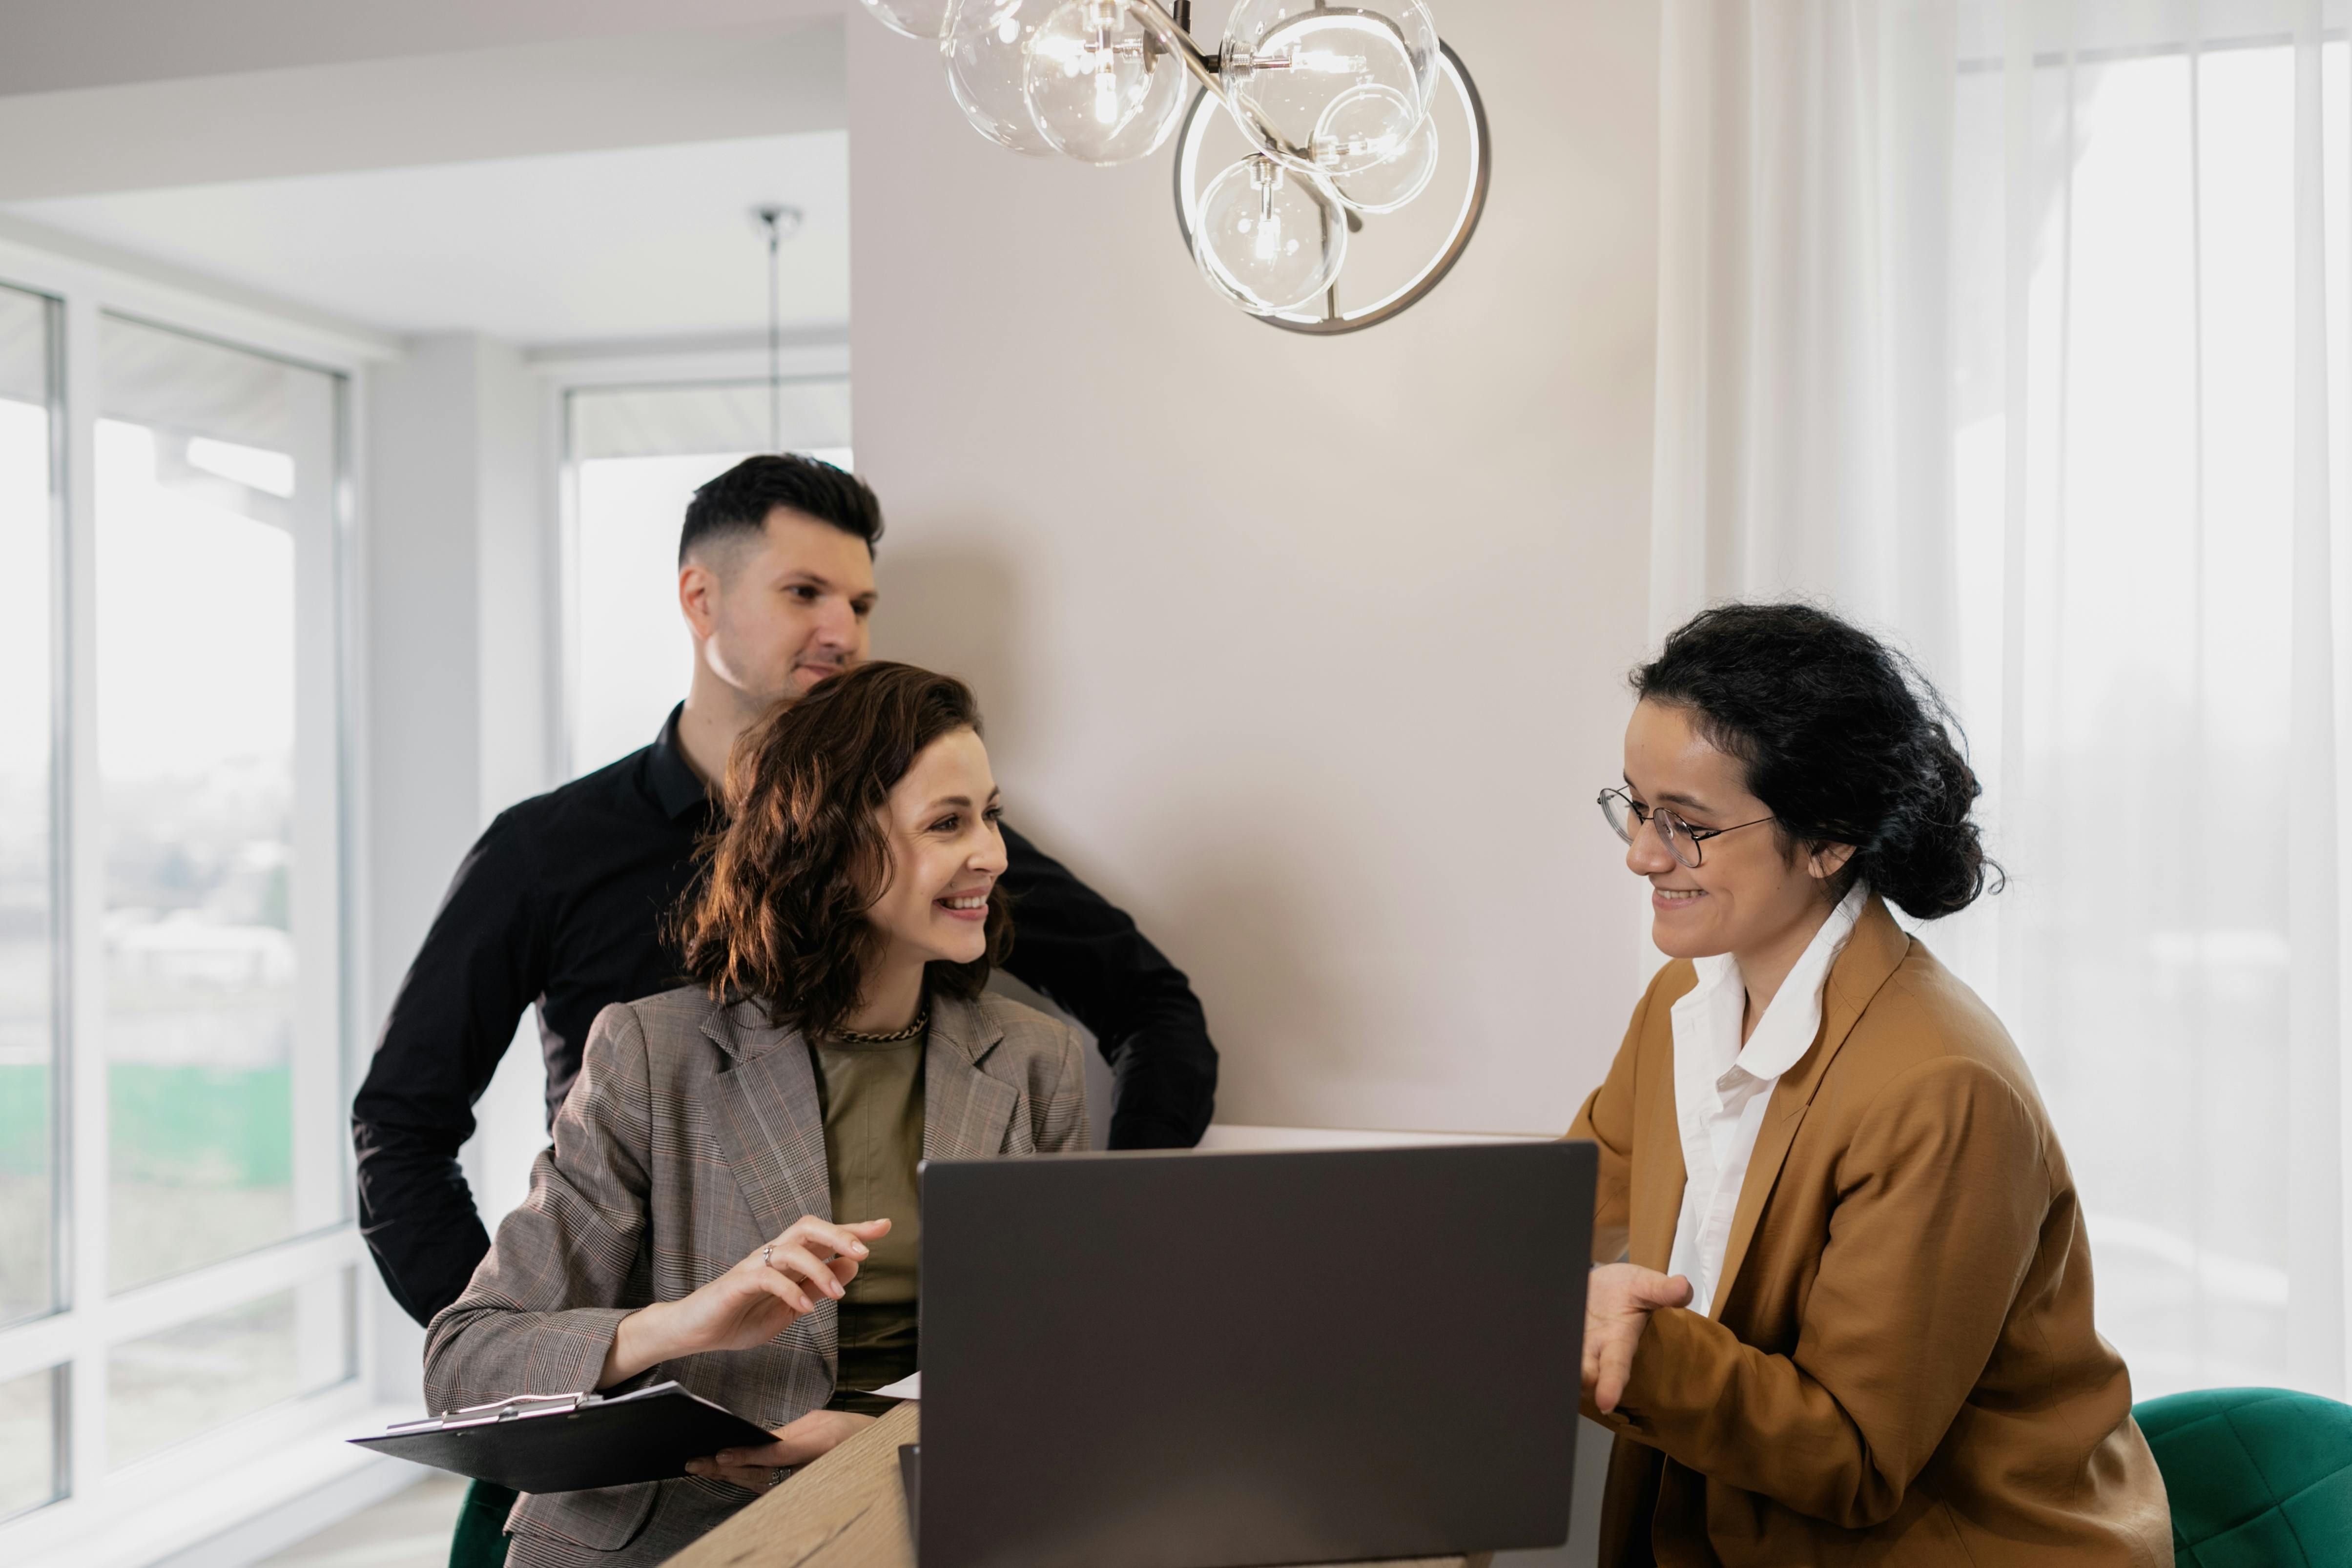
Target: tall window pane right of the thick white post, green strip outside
x=203 y=460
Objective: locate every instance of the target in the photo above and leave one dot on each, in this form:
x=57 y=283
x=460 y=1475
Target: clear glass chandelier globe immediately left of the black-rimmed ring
x=1102 y=83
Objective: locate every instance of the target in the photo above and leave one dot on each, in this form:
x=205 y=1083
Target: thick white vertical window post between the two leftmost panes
x=86 y=904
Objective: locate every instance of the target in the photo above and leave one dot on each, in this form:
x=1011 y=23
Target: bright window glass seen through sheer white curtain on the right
x=2125 y=657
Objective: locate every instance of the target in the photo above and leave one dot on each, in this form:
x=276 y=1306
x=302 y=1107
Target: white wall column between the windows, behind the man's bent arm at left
x=460 y=695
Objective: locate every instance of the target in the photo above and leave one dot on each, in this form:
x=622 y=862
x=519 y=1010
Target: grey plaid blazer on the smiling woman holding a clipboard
x=690 y=1139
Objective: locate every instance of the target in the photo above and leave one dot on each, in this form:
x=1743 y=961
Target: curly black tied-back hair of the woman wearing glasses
x=1843 y=742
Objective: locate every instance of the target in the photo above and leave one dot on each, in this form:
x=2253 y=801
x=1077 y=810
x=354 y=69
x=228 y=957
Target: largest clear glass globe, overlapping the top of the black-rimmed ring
x=1288 y=65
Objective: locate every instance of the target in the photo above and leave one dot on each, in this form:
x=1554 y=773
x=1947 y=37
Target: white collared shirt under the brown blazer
x=1723 y=1087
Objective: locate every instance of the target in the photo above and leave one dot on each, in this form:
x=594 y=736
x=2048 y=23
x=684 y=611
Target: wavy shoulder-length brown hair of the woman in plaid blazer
x=780 y=911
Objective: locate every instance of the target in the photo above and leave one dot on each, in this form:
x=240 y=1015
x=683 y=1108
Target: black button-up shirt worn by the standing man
x=563 y=902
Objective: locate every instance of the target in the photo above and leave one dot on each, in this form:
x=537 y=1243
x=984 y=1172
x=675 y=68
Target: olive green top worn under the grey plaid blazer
x=871 y=1097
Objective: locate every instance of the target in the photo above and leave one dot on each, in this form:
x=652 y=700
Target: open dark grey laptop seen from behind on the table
x=1227 y=1360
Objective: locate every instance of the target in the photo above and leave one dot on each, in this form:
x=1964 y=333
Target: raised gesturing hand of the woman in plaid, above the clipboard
x=749 y=1304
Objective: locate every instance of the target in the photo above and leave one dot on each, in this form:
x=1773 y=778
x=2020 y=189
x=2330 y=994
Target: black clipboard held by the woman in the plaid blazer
x=575 y=1442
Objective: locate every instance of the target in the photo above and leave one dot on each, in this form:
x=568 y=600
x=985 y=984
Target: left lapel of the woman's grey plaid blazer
x=768 y=1118
